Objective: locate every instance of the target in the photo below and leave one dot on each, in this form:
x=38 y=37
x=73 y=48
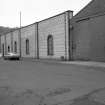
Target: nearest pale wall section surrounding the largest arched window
x=56 y=27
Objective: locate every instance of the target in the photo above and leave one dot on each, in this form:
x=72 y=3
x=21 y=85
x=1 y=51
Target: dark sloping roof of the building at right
x=95 y=7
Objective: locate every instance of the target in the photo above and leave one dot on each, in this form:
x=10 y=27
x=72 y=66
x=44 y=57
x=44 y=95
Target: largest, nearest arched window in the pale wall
x=50 y=45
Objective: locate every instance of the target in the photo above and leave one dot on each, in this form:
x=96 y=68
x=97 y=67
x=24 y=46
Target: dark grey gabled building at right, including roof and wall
x=89 y=32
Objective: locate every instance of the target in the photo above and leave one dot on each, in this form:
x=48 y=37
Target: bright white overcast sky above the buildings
x=35 y=10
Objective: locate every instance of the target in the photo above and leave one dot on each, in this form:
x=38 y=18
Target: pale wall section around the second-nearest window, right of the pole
x=28 y=32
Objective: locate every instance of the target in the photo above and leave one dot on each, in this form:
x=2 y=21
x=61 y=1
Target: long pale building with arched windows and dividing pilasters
x=47 y=39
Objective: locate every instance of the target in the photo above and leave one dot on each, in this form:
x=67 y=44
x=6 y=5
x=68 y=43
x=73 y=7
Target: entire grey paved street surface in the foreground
x=30 y=82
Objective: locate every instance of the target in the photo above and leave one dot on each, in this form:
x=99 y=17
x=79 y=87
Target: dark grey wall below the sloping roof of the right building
x=89 y=39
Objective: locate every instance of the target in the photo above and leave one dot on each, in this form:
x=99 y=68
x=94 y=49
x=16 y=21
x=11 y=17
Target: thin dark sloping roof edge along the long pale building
x=36 y=22
